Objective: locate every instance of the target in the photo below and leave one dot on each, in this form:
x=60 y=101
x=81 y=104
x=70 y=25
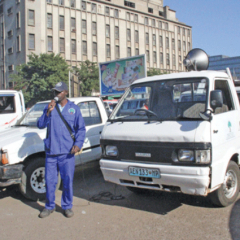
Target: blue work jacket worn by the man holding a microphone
x=59 y=140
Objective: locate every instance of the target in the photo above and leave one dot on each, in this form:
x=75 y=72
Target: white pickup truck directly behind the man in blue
x=22 y=152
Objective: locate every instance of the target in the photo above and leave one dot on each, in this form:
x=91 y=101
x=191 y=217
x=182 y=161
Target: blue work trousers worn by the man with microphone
x=65 y=164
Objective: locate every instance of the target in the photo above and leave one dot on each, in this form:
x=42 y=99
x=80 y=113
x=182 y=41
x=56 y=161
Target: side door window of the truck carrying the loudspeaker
x=227 y=96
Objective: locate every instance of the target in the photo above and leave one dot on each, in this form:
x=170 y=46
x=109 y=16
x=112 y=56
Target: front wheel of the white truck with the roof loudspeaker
x=228 y=192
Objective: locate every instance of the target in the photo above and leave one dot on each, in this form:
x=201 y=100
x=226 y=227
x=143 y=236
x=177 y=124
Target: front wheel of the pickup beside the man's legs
x=33 y=180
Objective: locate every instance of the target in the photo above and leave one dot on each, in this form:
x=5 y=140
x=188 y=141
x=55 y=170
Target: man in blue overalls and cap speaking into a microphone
x=60 y=148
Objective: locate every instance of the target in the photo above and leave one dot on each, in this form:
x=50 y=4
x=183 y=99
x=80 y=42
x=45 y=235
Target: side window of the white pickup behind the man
x=90 y=113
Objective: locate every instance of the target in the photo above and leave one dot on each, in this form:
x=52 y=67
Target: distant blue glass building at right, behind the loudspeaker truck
x=221 y=62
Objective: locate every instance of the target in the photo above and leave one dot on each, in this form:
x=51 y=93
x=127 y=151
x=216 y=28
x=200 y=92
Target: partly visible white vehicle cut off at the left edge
x=12 y=108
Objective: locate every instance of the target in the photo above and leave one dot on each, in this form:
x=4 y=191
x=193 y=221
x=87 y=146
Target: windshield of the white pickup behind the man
x=31 y=117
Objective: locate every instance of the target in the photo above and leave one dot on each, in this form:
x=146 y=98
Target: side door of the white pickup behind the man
x=94 y=125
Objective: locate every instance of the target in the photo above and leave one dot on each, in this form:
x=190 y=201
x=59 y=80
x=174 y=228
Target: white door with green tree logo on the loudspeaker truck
x=224 y=134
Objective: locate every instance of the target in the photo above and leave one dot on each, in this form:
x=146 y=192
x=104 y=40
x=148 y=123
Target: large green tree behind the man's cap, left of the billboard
x=39 y=76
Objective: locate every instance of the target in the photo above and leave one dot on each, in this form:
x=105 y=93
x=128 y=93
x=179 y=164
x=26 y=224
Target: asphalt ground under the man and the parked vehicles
x=158 y=215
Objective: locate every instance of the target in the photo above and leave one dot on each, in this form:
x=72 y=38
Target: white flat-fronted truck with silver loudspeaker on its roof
x=188 y=140
